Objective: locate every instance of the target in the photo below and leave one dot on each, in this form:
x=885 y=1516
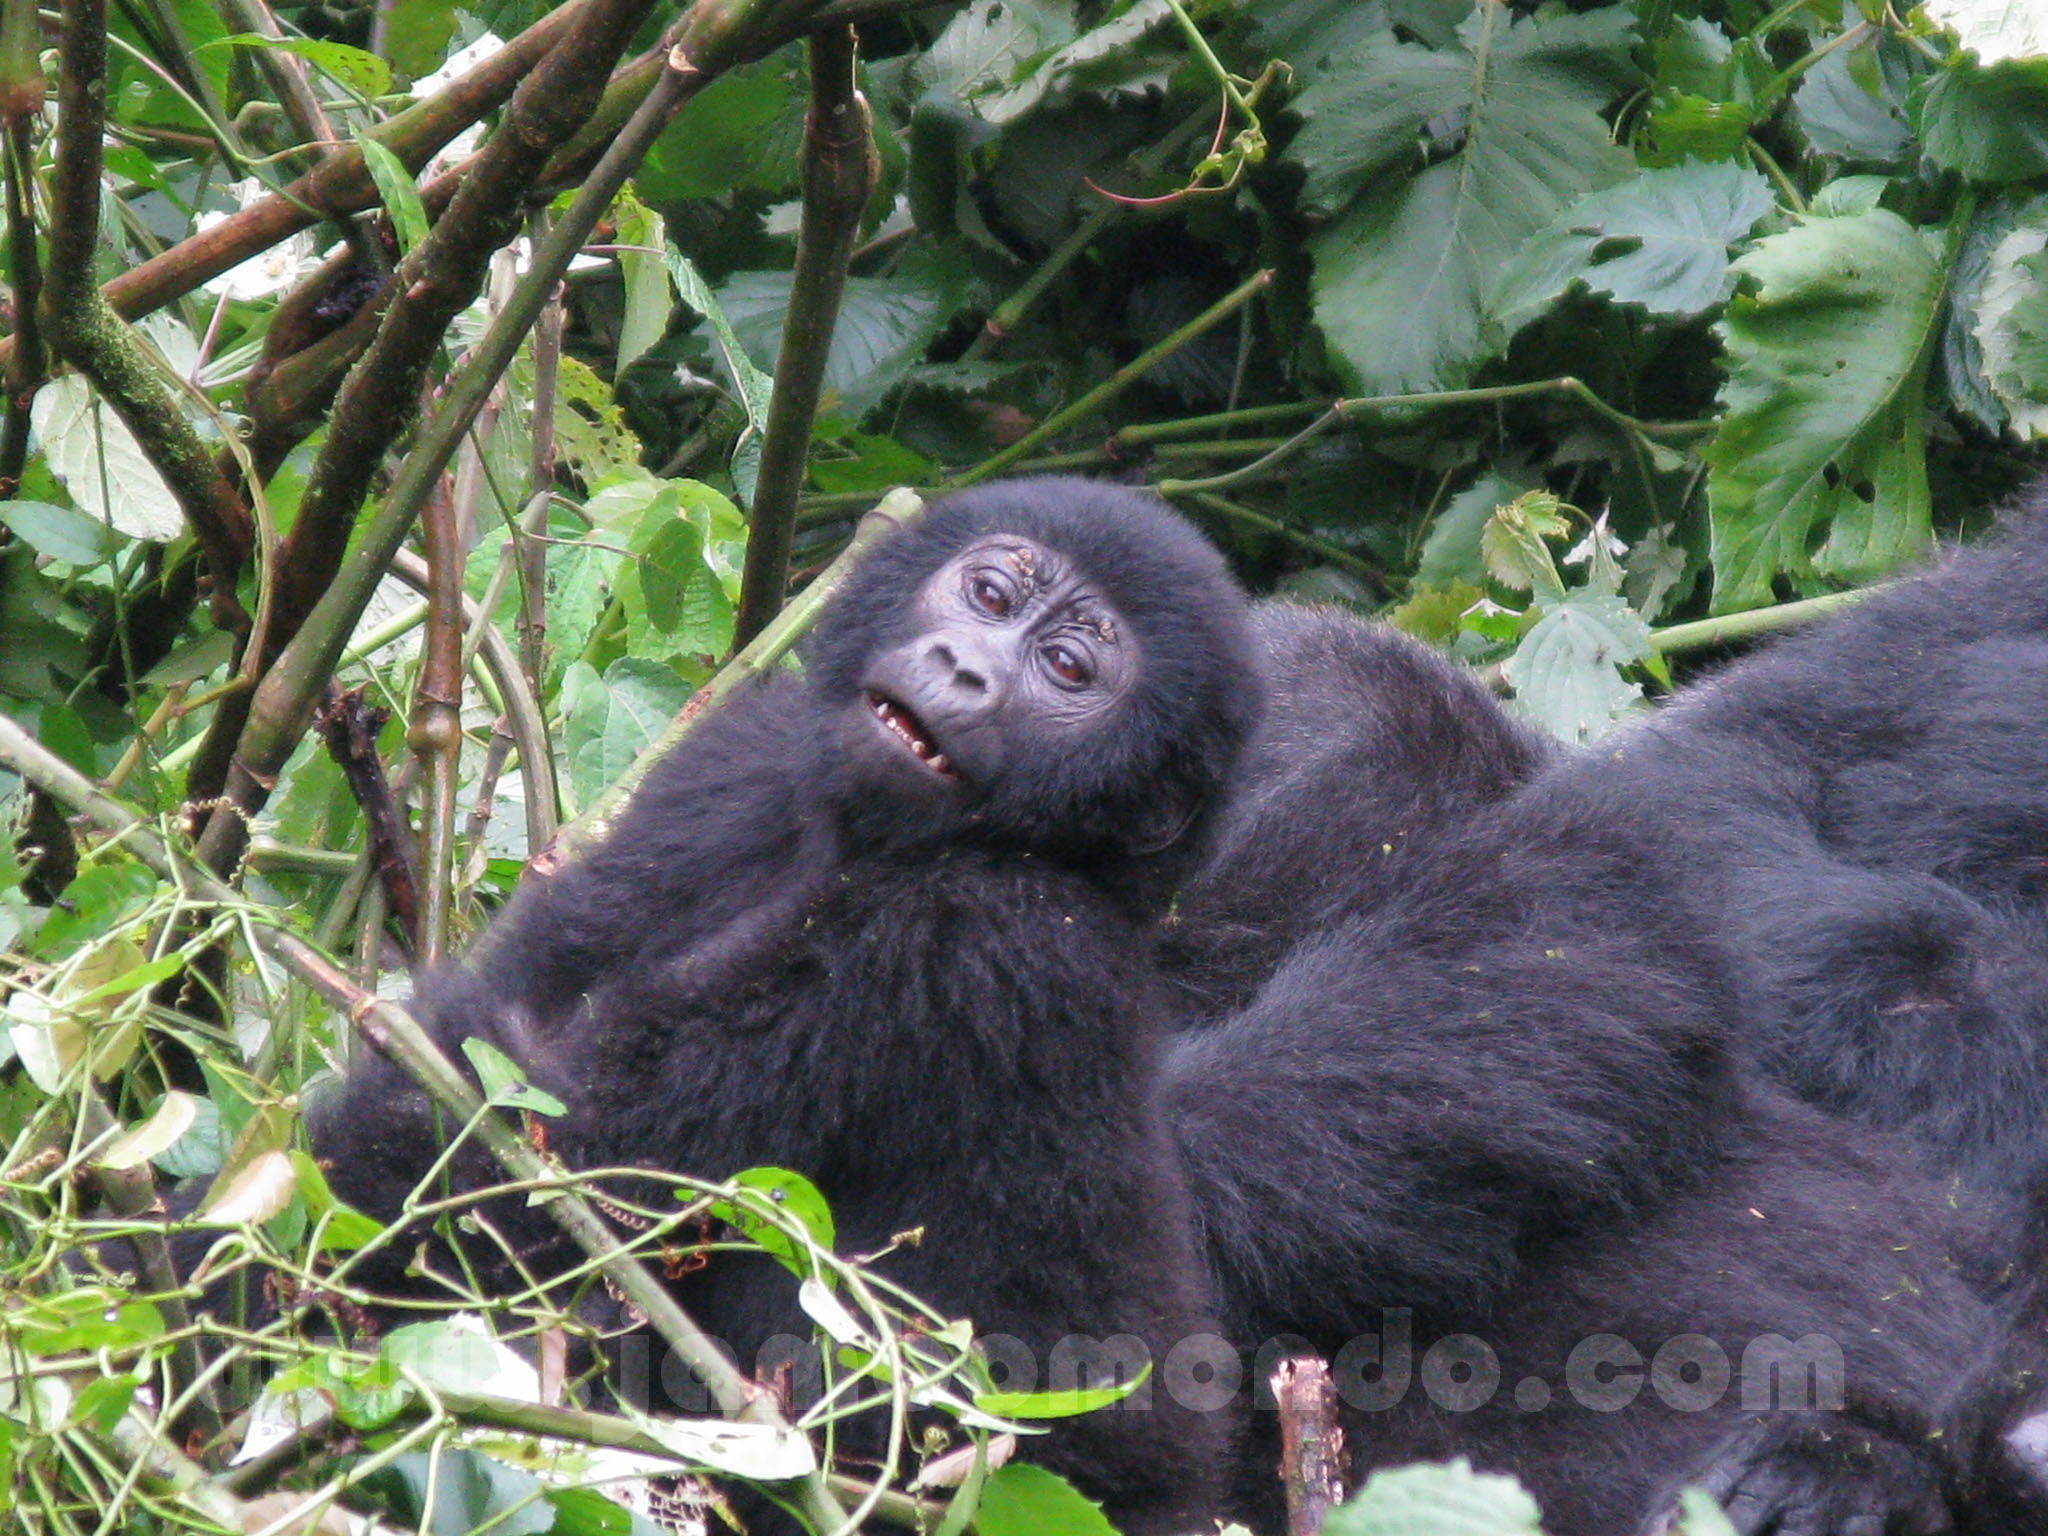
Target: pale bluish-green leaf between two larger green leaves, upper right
x=1660 y=241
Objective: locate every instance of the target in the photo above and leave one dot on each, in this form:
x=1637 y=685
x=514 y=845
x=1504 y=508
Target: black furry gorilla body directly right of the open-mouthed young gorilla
x=1469 y=1056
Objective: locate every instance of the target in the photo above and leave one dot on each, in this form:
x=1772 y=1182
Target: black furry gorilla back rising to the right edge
x=1865 y=808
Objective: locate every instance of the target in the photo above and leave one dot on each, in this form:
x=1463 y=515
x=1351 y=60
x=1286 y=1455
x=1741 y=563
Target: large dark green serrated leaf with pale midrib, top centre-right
x=1512 y=112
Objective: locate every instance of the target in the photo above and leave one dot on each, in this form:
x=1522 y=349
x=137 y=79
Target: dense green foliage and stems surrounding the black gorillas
x=1578 y=337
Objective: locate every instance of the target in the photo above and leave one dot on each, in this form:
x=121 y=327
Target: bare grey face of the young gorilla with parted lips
x=1015 y=663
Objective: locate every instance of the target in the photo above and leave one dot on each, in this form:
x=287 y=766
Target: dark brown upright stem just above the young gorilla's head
x=839 y=173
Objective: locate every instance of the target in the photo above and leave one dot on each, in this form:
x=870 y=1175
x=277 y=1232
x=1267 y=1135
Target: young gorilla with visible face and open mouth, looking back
x=878 y=925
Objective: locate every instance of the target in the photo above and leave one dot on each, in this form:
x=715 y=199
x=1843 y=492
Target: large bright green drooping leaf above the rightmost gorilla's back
x=1826 y=392
